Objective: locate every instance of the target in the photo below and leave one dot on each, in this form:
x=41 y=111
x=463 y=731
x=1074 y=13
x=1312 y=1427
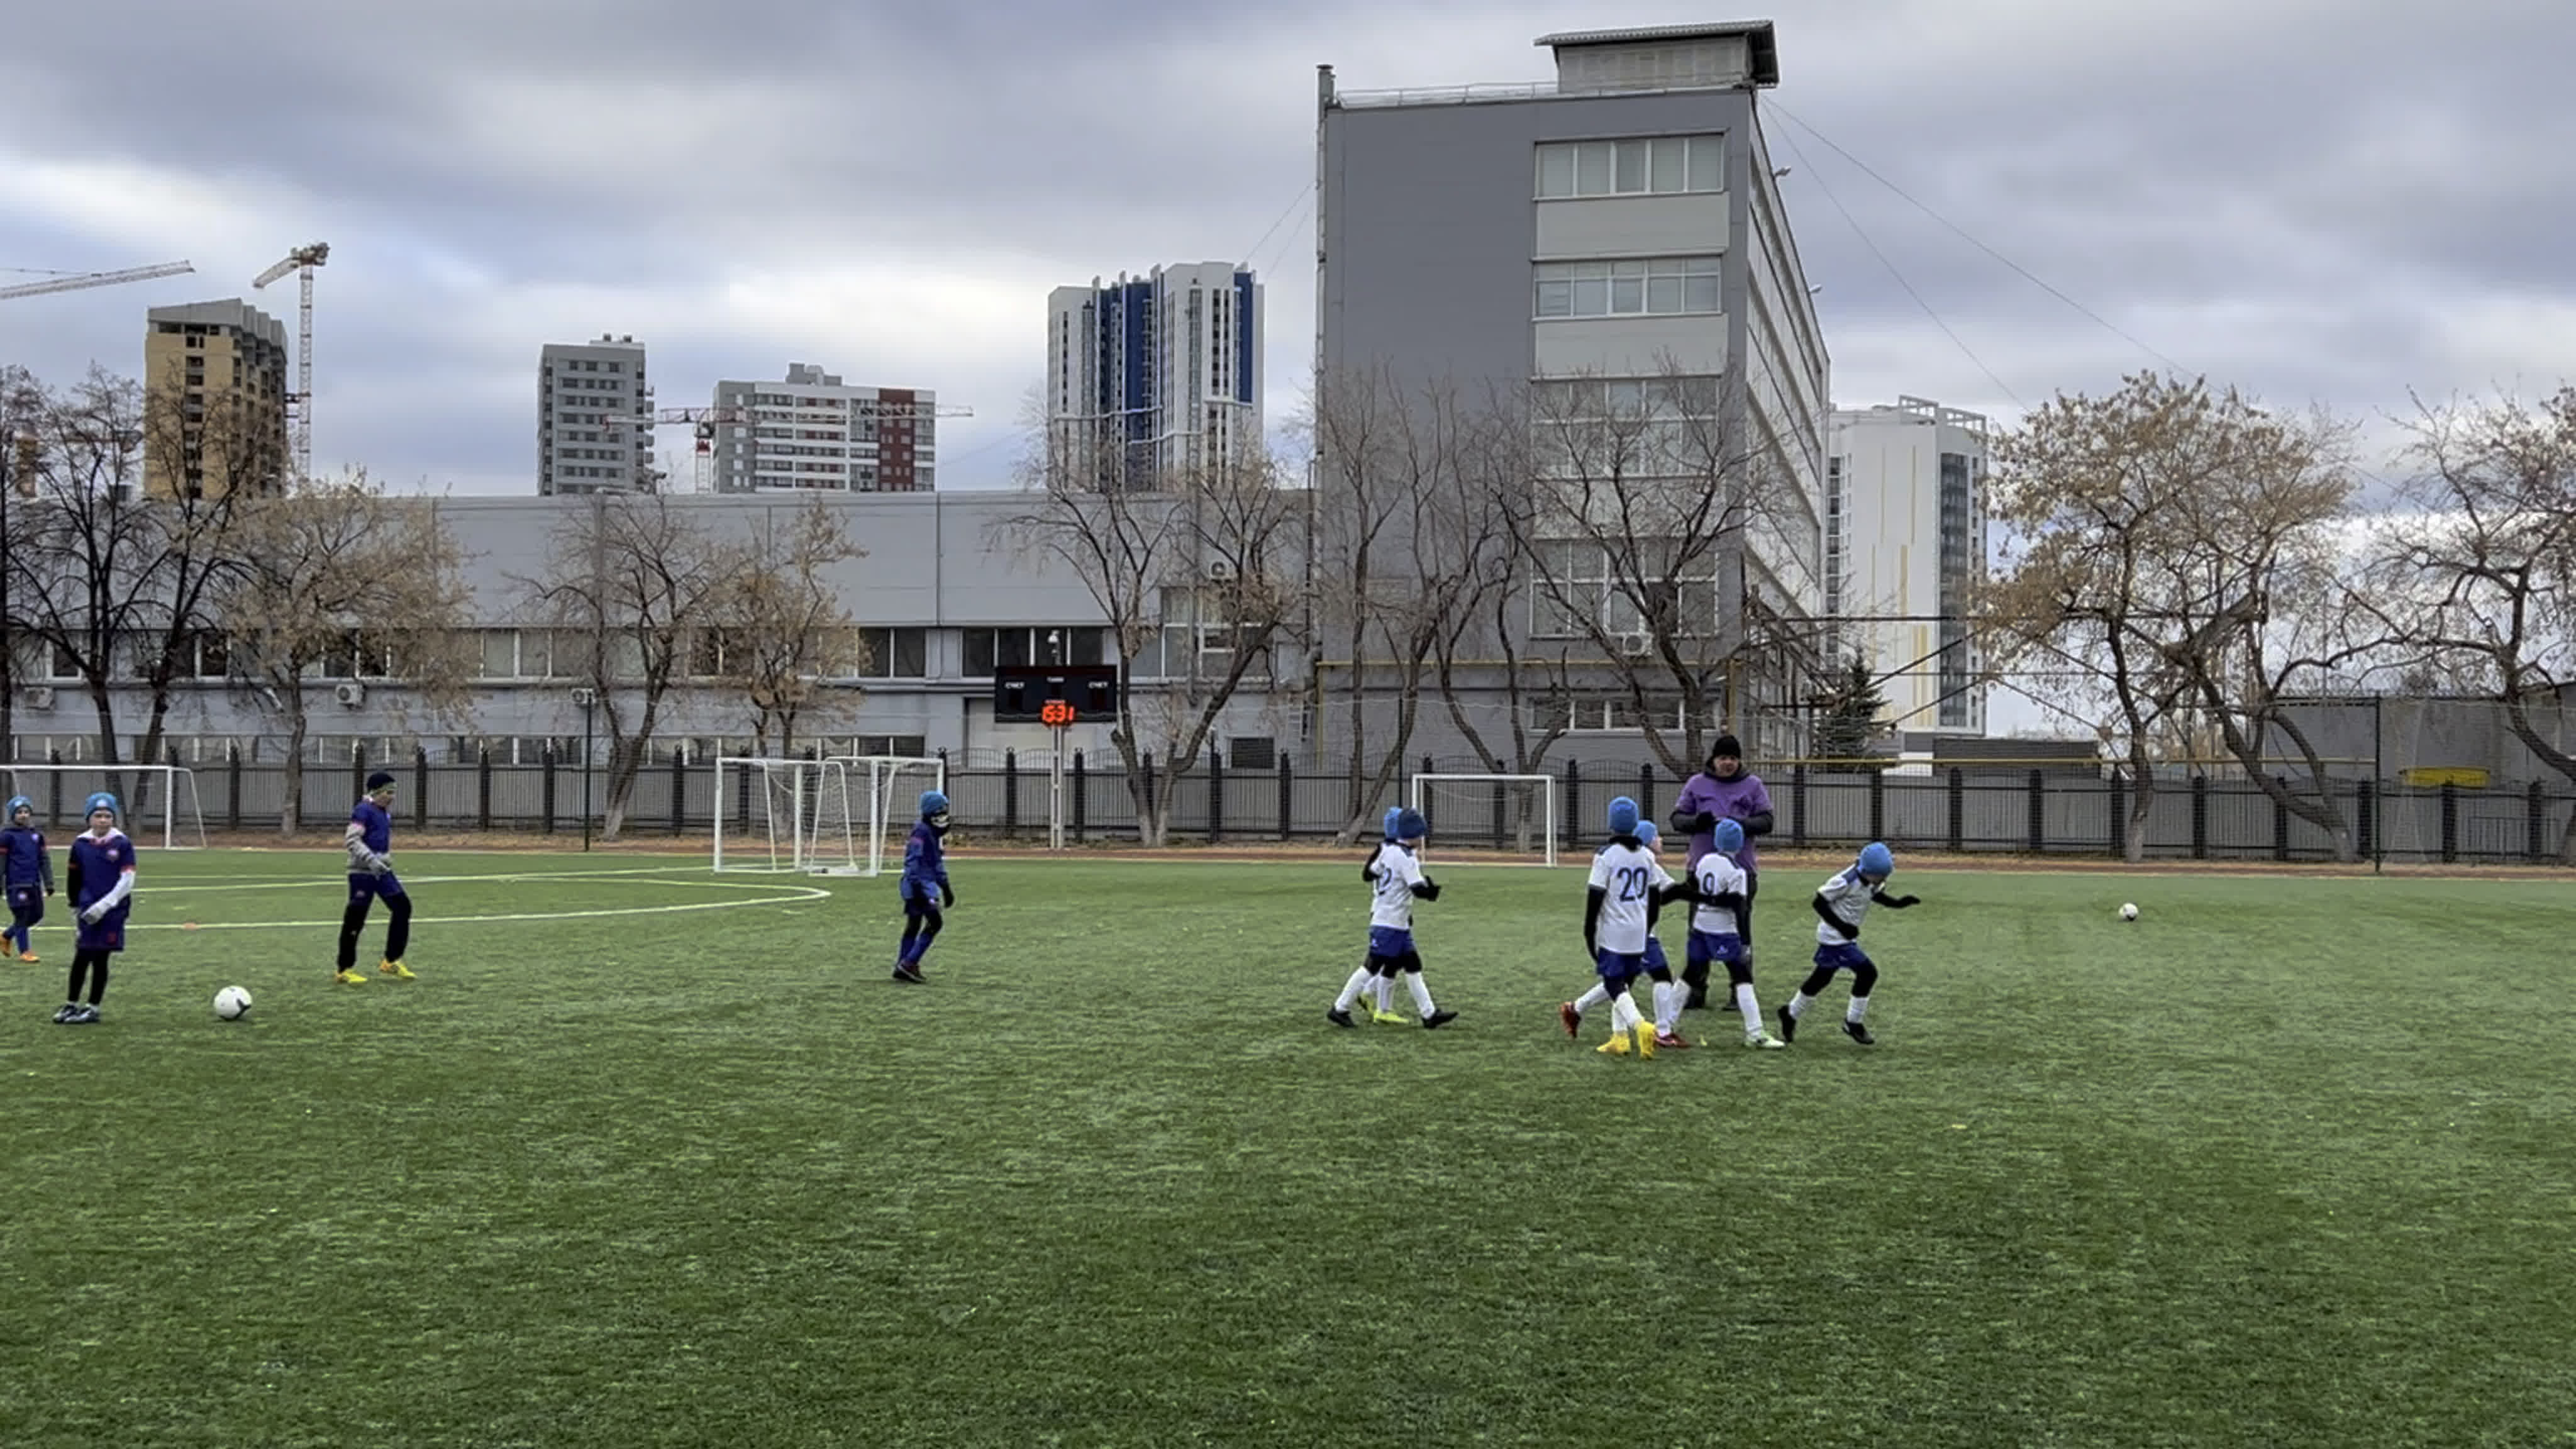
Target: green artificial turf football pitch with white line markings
x=2289 y=1162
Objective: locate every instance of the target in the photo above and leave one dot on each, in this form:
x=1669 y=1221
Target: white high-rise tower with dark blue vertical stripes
x=1155 y=373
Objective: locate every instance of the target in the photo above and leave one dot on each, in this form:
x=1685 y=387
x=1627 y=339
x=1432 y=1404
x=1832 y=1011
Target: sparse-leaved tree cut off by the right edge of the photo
x=2479 y=574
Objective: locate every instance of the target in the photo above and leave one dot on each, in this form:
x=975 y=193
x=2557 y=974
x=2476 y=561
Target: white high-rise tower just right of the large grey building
x=1905 y=548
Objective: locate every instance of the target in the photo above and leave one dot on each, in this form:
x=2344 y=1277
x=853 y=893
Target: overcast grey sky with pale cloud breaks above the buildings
x=2322 y=202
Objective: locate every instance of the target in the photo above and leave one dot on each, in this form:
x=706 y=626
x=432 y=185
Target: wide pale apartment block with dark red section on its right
x=818 y=434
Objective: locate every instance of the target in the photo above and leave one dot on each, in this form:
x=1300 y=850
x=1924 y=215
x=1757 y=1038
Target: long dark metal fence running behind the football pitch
x=1962 y=811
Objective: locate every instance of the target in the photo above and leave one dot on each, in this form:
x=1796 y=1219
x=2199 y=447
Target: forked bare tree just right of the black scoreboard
x=1194 y=574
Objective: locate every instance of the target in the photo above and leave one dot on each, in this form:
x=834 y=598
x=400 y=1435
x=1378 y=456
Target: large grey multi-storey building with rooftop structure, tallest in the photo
x=1614 y=249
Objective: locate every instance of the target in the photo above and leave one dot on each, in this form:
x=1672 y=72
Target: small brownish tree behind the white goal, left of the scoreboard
x=784 y=628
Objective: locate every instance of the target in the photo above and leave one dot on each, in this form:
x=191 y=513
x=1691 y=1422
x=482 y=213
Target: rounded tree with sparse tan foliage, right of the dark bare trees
x=336 y=571
